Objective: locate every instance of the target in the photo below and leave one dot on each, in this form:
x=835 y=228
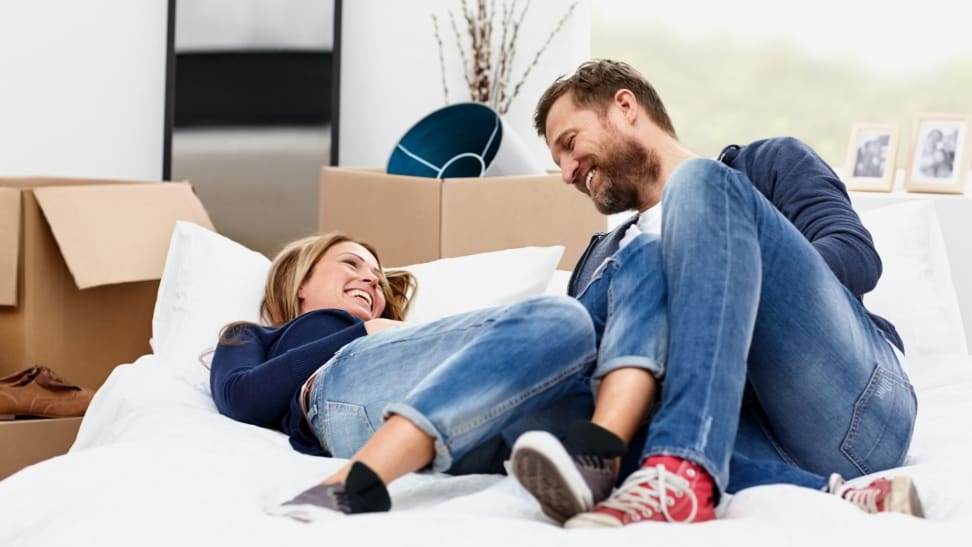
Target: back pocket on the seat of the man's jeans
x=883 y=420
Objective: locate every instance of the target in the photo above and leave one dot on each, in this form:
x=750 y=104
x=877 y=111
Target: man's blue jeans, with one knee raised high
x=776 y=373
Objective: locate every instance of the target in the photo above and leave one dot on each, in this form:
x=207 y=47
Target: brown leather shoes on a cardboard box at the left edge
x=38 y=391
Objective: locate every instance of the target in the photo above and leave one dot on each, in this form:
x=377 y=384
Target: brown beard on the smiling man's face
x=630 y=169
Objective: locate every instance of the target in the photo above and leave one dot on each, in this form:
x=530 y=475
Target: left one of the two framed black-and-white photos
x=871 y=157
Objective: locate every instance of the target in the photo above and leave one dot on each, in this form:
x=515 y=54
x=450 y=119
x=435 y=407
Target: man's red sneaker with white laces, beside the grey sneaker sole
x=666 y=489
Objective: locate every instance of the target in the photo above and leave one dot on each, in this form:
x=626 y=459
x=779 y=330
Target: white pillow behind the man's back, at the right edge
x=915 y=291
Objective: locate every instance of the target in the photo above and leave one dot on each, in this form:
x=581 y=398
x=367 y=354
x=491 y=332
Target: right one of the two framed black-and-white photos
x=940 y=154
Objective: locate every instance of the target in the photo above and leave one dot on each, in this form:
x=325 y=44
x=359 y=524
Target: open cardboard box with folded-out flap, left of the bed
x=80 y=262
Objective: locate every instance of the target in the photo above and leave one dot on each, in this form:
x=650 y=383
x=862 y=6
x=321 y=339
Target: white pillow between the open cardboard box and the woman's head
x=208 y=281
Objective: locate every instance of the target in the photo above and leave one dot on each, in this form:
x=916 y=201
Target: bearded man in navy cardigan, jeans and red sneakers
x=775 y=372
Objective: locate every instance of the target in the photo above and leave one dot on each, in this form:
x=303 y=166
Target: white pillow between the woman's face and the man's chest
x=454 y=285
